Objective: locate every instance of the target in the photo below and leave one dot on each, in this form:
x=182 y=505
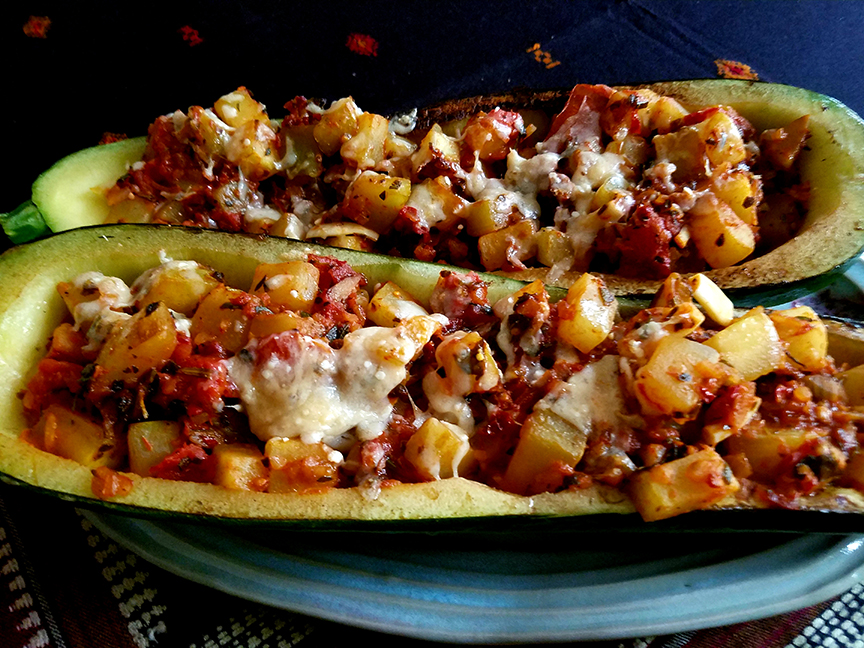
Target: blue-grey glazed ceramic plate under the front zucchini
x=466 y=589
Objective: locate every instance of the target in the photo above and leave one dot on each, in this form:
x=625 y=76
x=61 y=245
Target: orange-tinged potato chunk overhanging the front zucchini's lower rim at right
x=691 y=483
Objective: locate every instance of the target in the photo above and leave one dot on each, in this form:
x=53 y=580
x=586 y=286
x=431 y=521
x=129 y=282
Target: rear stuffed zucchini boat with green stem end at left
x=758 y=186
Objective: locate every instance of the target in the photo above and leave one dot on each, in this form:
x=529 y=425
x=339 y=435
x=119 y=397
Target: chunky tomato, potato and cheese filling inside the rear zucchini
x=619 y=181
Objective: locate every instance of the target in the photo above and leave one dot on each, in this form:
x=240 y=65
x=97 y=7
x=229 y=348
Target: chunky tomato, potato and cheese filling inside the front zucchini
x=310 y=379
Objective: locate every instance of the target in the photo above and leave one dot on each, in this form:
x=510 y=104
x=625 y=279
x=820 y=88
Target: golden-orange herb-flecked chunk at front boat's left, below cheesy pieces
x=134 y=347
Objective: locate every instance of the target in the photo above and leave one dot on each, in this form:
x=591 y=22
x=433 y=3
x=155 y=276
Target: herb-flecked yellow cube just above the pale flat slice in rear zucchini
x=374 y=199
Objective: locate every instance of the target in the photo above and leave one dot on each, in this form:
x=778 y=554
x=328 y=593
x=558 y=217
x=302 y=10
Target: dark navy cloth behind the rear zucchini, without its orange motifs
x=115 y=66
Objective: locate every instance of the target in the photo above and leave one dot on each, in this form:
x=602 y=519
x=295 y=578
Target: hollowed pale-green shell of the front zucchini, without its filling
x=30 y=308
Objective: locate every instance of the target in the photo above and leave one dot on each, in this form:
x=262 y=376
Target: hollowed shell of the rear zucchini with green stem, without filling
x=831 y=238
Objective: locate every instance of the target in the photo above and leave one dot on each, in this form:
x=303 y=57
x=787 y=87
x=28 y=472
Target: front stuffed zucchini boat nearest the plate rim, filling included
x=221 y=375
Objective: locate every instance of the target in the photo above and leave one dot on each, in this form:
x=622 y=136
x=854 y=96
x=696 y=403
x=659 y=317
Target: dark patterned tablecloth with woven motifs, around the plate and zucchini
x=78 y=74
